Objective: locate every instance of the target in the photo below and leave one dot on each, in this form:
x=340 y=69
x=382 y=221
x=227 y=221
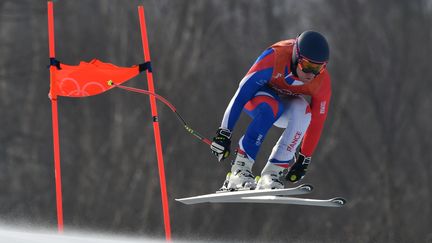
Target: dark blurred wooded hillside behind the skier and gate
x=375 y=150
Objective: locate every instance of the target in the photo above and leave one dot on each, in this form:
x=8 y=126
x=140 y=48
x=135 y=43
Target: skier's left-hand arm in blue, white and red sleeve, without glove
x=259 y=75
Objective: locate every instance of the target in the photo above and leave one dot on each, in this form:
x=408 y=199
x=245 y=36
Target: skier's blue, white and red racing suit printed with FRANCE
x=272 y=95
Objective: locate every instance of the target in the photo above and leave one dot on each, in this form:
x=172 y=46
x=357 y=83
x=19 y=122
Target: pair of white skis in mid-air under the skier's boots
x=277 y=196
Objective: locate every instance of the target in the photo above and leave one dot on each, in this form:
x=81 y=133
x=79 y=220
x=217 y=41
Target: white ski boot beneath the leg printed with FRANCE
x=271 y=177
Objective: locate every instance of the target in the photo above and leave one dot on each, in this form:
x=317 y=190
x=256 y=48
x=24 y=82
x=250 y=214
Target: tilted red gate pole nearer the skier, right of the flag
x=156 y=130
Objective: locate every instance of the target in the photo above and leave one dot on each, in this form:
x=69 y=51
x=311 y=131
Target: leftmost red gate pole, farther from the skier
x=54 y=108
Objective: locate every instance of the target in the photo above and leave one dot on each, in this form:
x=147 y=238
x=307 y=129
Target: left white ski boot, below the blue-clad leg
x=240 y=177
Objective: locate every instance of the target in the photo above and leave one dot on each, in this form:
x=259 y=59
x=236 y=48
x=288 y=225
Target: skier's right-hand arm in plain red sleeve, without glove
x=319 y=109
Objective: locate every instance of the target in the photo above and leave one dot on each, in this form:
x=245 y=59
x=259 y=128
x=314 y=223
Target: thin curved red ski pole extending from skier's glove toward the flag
x=167 y=103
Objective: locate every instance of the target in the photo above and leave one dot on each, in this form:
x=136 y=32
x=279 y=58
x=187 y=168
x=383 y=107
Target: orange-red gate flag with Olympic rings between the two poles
x=88 y=78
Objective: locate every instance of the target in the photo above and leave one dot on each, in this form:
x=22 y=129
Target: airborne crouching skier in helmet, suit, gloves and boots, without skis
x=271 y=93
